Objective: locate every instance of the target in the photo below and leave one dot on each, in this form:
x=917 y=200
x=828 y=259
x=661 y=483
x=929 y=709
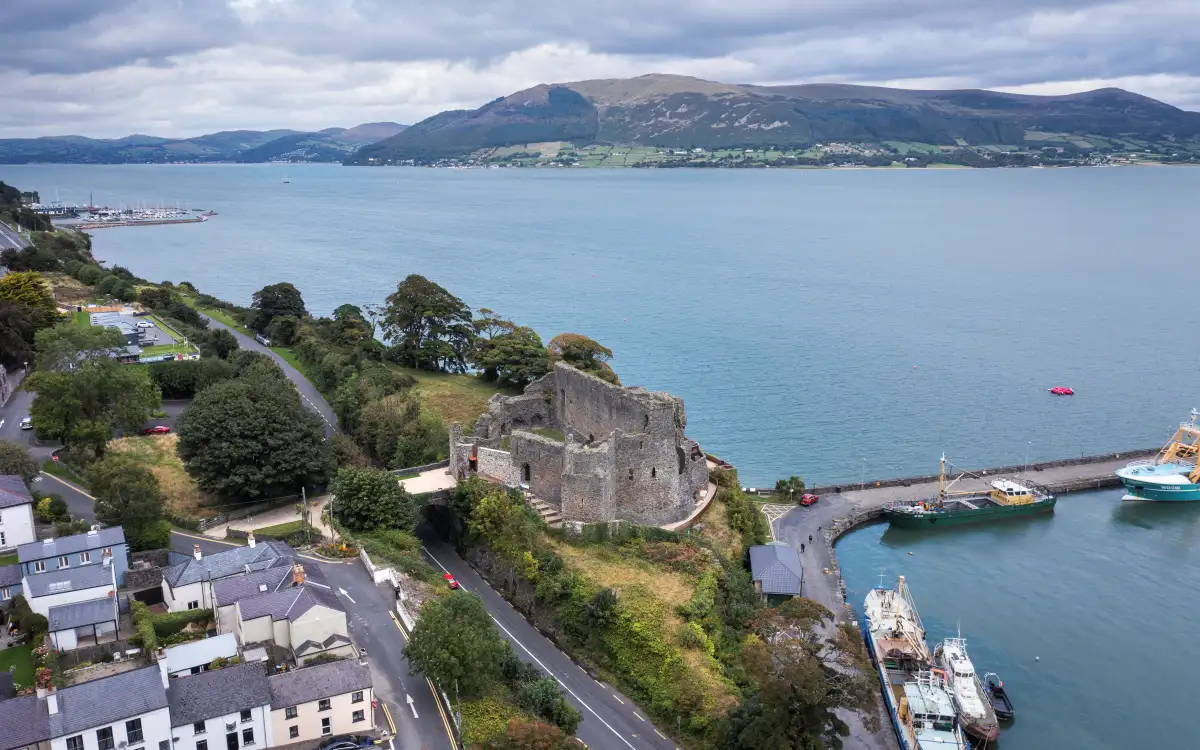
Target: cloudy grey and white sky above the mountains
x=185 y=68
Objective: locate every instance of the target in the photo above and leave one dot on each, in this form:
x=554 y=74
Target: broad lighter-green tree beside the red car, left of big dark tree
x=85 y=406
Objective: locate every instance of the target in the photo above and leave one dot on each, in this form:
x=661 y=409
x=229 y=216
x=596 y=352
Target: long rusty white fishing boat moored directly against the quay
x=919 y=704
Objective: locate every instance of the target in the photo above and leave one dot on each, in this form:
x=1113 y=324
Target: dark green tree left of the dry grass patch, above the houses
x=128 y=495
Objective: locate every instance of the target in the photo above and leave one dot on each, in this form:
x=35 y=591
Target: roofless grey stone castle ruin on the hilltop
x=592 y=451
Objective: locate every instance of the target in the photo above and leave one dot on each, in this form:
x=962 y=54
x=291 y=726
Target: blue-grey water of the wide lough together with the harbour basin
x=818 y=323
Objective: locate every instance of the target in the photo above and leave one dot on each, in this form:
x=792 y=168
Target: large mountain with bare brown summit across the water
x=682 y=112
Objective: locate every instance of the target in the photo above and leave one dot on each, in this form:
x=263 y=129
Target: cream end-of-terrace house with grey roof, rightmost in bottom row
x=321 y=701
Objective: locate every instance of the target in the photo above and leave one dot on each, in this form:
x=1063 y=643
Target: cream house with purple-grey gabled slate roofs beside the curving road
x=286 y=607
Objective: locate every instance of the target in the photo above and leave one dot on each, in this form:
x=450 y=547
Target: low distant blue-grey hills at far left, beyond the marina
x=332 y=145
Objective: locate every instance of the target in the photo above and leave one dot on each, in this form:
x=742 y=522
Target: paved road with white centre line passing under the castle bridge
x=610 y=719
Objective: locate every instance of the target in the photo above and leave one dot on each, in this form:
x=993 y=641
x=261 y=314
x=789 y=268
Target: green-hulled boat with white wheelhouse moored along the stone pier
x=1009 y=497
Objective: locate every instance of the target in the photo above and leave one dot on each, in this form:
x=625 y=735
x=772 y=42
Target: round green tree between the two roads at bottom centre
x=455 y=645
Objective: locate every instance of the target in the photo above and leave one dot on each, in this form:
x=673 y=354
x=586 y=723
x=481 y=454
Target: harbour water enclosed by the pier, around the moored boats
x=1105 y=593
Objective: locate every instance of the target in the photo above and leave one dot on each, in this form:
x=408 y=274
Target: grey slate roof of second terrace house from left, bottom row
x=107 y=701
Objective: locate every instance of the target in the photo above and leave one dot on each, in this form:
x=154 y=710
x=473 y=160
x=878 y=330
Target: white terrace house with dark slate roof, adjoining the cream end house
x=221 y=710
